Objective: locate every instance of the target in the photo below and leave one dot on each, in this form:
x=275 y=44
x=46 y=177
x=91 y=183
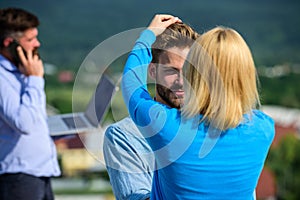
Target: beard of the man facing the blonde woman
x=169 y=97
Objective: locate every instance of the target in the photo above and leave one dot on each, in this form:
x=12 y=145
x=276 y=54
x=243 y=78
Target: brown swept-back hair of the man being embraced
x=176 y=35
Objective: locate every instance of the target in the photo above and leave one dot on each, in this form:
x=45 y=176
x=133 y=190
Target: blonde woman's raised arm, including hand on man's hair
x=136 y=96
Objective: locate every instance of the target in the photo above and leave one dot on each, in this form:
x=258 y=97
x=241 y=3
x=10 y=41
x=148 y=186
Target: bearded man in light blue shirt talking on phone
x=27 y=153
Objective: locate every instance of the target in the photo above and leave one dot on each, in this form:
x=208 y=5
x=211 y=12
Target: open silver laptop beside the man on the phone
x=73 y=123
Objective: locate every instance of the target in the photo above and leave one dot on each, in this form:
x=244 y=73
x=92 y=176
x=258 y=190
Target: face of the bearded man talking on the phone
x=29 y=40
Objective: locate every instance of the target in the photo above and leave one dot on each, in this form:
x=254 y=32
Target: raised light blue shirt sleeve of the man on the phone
x=22 y=104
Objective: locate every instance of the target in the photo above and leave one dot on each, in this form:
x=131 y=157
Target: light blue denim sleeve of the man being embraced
x=128 y=163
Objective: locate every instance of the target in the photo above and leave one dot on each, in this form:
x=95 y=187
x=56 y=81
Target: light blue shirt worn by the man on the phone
x=25 y=142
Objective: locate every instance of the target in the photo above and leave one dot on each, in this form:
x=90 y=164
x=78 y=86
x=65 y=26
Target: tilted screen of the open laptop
x=100 y=101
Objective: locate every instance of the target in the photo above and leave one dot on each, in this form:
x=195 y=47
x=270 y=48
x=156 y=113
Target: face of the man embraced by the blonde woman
x=169 y=80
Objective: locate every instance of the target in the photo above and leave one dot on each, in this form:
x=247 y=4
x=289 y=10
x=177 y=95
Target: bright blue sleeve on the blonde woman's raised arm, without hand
x=153 y=119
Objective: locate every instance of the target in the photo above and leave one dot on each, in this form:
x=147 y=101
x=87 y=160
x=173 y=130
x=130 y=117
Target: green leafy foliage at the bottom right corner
x=284 y=161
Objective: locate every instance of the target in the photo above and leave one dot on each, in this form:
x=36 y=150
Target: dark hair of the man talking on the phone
x=13 y=20
